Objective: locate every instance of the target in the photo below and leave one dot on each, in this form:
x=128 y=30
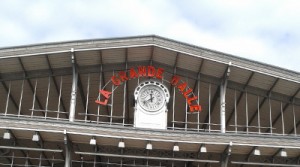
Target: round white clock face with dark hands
x=151 y=98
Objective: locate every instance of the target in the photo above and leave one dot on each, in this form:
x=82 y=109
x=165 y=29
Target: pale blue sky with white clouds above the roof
x=263 y=30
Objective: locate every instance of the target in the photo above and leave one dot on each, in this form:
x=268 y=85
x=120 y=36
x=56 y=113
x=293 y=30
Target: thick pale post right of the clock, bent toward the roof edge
x=223 y=88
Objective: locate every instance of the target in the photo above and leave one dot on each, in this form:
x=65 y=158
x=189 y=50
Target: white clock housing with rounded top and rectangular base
x=151 y=99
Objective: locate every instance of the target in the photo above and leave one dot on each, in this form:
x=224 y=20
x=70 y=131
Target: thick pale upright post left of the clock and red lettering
x=74 y=88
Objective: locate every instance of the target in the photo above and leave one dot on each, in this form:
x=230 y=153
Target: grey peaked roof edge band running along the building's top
x=150 y=40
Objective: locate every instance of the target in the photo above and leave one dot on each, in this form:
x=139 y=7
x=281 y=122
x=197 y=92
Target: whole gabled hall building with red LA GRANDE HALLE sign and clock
x=144 y=101
